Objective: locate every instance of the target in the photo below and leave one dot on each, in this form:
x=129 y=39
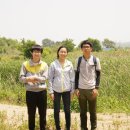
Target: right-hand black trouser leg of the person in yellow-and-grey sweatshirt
x=42 y=106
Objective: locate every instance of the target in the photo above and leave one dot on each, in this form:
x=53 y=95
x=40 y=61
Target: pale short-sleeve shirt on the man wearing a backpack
x=87 y=75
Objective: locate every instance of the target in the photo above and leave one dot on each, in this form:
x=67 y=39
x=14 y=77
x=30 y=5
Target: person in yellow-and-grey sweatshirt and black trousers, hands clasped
x=34 y=74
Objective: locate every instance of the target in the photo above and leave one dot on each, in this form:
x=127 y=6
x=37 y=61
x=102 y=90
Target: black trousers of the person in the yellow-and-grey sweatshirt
x=33 y=100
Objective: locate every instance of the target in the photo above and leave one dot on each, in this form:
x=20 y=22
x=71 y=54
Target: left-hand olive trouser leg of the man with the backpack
x=83 y=109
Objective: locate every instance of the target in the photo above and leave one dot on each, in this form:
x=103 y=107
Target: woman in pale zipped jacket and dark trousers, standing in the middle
x=61 y=84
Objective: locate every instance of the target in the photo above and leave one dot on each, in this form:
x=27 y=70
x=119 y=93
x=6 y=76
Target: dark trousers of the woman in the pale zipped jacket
x=66 y=103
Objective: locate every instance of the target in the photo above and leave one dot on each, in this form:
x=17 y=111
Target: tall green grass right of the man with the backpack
x=115 y=82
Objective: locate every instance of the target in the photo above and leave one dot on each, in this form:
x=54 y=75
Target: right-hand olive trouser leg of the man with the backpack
x=93 y=115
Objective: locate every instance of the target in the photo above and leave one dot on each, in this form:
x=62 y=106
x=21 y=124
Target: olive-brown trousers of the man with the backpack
x=85 y=102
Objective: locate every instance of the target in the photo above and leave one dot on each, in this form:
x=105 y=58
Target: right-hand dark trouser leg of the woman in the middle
x=66 y=102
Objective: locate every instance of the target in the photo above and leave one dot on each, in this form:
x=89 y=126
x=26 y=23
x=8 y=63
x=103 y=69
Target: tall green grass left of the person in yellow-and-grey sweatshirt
x=11 y=90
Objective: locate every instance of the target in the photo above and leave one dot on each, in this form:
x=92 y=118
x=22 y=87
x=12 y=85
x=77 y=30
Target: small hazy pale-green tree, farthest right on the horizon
x=108 y=43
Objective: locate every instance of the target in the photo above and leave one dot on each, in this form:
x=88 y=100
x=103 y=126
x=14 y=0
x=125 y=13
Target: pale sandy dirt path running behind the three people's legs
x=115 y=121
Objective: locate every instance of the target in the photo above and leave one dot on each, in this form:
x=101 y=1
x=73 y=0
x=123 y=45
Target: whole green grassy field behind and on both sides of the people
x=114 y=88
